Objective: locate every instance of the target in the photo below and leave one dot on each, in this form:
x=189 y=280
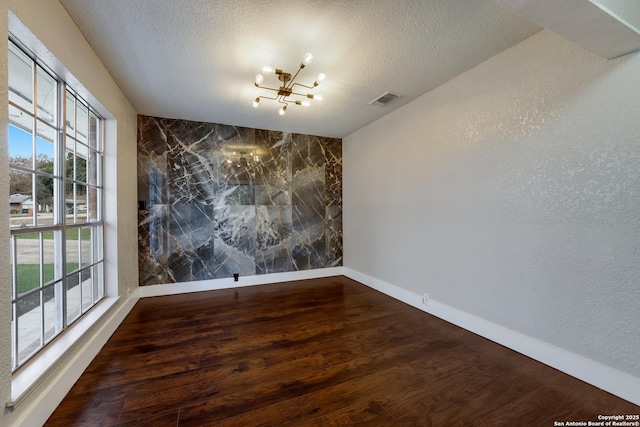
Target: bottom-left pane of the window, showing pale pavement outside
x=29 y=325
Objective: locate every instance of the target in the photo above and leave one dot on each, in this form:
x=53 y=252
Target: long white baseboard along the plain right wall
x=602 y=376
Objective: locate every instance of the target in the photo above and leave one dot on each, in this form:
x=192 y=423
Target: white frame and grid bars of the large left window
x=91 y=223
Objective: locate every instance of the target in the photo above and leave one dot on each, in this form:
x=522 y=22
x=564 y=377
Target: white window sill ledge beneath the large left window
x=28 y=376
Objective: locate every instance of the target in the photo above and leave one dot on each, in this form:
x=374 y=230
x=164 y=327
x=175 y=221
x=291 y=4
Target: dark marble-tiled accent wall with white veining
x=217 y=200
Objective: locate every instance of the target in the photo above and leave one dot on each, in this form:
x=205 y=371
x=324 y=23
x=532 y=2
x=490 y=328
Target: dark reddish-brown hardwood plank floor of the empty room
x=314 y=353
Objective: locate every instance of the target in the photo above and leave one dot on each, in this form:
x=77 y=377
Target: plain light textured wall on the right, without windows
x=512 y=193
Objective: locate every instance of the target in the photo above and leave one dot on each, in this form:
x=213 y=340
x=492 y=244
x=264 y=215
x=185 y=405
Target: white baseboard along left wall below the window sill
x=35 y=407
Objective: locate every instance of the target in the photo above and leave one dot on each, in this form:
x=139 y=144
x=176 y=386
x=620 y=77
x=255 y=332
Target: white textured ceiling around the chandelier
x=197 y=59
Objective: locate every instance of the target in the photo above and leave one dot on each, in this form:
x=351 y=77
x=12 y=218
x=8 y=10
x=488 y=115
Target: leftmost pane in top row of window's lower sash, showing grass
x=27 y=262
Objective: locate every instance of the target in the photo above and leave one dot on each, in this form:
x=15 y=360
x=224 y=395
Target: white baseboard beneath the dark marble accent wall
x=227 y=283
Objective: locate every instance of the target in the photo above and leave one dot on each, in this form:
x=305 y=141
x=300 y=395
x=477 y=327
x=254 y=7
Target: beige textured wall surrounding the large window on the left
x=49 y=22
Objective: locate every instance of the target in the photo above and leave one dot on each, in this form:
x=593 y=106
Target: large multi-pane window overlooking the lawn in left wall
x=56 y=209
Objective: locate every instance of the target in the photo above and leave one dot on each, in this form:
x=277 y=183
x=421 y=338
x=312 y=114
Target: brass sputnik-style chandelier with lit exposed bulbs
x=285 y=93
